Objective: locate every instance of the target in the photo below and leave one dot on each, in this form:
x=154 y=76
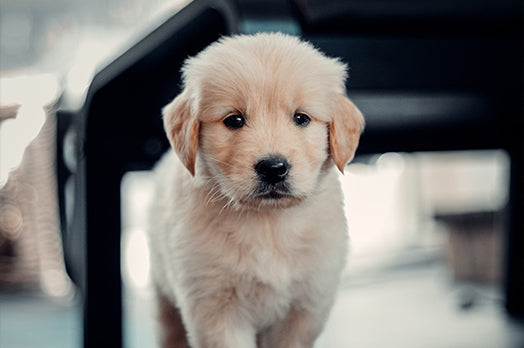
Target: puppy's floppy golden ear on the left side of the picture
x=182 y=126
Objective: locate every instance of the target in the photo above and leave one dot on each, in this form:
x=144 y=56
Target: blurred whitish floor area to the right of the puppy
x=419 y=308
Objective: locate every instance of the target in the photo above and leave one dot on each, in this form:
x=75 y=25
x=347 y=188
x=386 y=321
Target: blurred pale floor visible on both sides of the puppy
x=415 y=307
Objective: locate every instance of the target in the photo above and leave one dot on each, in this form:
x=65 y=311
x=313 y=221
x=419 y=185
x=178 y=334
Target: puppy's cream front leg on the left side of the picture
x=216 y=321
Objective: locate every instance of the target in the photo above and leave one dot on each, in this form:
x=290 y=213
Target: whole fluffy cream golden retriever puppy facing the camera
x=248 y=233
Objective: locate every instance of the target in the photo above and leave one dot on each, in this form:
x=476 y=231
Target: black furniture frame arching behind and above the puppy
x=428 y=76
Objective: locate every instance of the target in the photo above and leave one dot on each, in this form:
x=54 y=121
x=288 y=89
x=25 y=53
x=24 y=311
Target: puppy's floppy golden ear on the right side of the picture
x=347 y=123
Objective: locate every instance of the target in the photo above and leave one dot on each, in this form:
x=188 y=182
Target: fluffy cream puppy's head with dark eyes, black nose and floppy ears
x=262 y=118
